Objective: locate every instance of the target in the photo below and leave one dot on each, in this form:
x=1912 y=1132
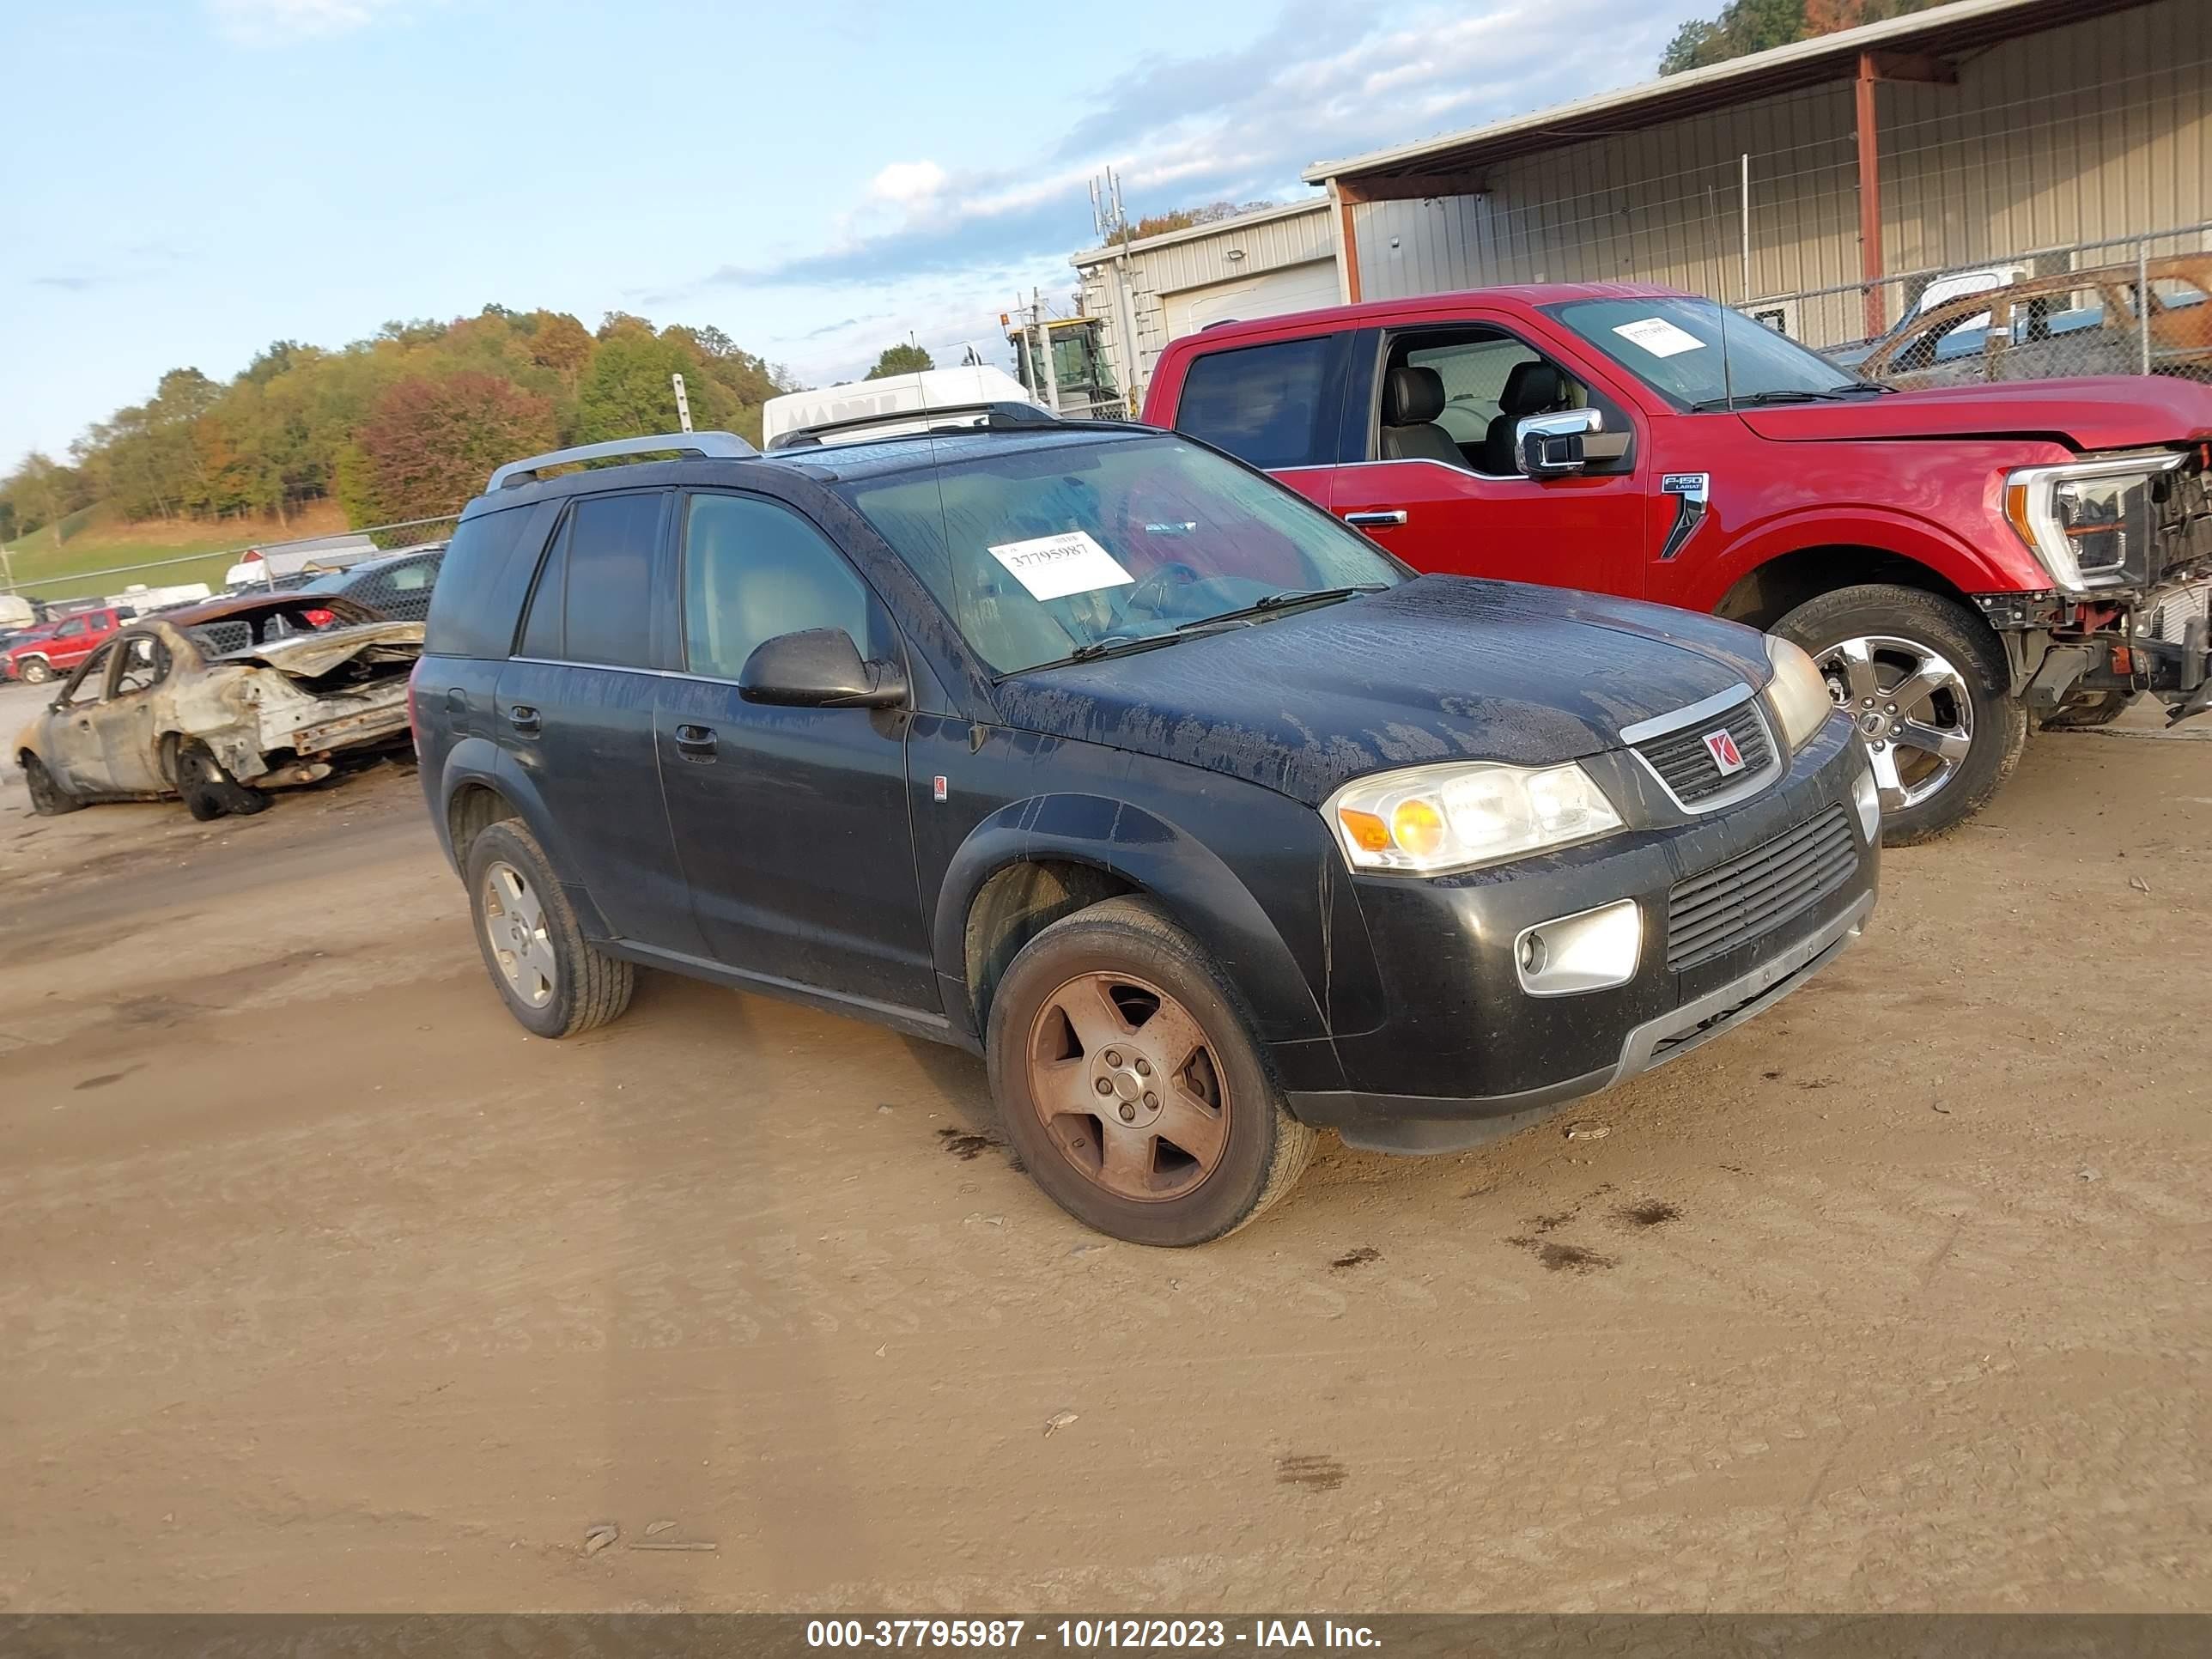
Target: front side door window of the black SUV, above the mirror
x=753 y=572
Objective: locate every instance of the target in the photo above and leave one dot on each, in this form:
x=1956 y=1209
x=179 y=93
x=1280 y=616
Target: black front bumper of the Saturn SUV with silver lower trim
x=1468 y=1056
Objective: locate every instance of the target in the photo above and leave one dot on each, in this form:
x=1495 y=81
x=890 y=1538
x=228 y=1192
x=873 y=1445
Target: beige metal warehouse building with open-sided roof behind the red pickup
x=1817 y=185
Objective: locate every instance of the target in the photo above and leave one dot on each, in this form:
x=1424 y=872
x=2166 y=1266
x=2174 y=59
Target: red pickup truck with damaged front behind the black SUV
x=1957 y=561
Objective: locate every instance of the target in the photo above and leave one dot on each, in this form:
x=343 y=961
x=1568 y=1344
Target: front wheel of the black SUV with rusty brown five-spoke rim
x=1129 y=1083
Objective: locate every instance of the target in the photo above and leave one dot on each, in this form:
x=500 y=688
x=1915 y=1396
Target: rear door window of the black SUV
x=594 y=601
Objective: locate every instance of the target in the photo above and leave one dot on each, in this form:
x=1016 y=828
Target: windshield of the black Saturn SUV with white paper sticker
x=1045 y=552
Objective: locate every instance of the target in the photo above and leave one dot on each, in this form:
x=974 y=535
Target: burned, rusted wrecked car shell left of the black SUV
x=222 y=702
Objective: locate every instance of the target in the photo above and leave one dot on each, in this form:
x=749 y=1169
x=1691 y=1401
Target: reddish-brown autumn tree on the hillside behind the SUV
x=430 y=446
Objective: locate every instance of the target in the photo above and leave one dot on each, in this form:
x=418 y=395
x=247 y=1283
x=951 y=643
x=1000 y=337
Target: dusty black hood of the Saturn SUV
x=1439 y=669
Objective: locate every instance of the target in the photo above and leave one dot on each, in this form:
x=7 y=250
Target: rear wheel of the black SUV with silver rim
x=552 y=979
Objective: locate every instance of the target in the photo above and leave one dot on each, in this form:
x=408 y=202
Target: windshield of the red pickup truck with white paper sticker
x=1676 y=346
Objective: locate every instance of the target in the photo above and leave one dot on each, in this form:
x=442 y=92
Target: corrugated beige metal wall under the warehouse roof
x=2094 y=129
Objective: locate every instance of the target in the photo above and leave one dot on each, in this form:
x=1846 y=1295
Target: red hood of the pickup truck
x=2107 y=413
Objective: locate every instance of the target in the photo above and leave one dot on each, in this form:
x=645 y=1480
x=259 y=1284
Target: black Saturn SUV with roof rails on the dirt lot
x=1107 y=758
